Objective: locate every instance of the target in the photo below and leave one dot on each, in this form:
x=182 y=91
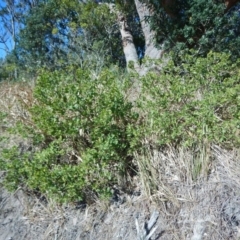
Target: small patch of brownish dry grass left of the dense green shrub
x=15 y=97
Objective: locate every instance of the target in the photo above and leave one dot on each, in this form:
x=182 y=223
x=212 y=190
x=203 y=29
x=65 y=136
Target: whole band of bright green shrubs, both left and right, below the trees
x=85 y=133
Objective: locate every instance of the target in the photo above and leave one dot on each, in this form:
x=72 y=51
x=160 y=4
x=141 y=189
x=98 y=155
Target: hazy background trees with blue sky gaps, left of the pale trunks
x=58 y=33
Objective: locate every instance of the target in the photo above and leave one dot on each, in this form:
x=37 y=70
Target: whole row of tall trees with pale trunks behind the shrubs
x=56 y=33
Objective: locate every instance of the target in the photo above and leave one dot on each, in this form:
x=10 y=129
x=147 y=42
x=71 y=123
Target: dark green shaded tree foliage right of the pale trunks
x=197 y=24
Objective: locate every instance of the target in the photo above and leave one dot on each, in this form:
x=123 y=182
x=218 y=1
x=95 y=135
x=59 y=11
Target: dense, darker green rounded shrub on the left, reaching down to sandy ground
x=81 y=130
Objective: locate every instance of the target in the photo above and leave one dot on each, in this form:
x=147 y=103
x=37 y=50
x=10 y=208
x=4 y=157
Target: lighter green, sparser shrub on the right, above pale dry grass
x=193 y=103
